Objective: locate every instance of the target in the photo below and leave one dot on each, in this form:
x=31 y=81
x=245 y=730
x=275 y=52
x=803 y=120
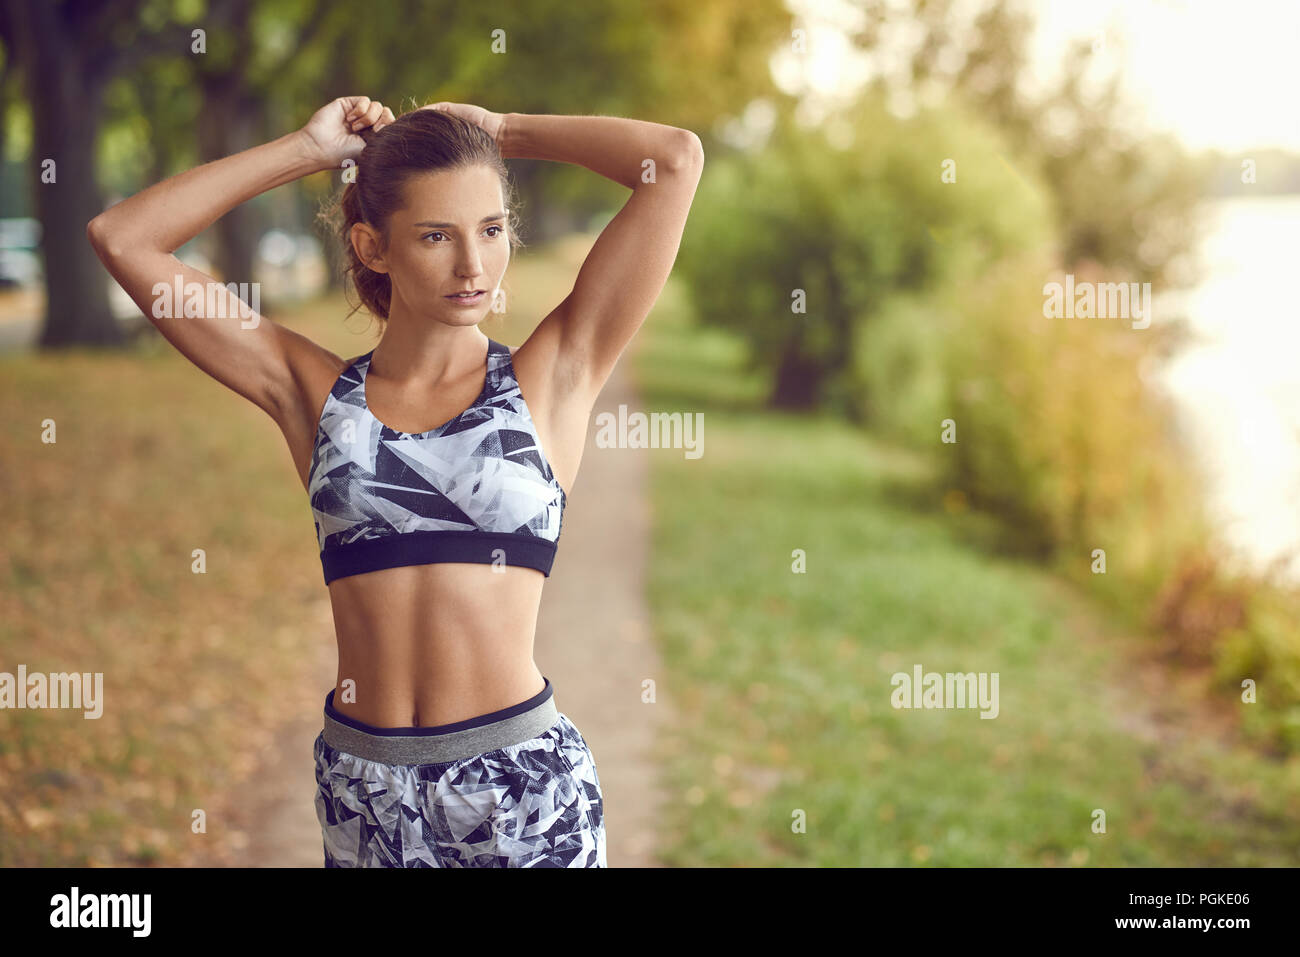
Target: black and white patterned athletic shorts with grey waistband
x=513 y=789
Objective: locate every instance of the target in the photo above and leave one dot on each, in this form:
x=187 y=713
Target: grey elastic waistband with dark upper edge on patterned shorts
x=444 y=743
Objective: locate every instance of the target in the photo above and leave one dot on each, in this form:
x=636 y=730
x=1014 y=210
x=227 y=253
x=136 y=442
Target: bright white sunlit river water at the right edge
x=1237 y=386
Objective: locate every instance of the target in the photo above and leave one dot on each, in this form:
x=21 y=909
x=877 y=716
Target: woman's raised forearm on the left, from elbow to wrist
x=168 y=215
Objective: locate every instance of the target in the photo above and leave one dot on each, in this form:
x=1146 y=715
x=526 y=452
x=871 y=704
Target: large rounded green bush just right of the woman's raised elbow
x=851 y=222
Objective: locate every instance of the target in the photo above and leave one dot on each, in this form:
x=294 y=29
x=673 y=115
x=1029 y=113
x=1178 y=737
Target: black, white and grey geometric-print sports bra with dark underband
x=475 y=490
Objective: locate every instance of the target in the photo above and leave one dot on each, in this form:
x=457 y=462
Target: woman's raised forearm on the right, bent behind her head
x=616 y=148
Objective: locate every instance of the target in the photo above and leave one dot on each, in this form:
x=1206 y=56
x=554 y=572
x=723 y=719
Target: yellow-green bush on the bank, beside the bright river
x=1058 y=432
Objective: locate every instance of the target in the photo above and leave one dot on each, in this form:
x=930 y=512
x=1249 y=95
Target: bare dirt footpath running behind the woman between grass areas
x=593 y=642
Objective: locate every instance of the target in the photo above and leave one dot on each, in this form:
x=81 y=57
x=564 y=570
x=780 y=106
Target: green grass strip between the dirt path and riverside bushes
x=782 y=681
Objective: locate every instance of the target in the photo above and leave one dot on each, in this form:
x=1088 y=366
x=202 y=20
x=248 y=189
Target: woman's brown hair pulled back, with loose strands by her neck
x=423 y=141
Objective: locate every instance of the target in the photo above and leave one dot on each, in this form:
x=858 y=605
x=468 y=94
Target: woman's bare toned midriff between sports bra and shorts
x=435 y=644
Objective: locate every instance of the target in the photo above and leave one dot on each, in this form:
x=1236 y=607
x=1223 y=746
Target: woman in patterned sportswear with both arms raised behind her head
x=437 y=490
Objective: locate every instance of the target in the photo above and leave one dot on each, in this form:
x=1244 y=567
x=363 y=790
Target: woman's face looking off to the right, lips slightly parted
x=450 y=236
